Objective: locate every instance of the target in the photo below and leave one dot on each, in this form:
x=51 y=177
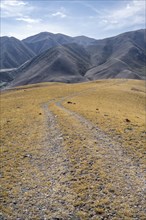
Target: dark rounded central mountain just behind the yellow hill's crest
x=66 y=63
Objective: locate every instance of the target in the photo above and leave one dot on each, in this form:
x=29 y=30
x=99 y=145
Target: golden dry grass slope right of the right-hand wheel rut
x=110 y=105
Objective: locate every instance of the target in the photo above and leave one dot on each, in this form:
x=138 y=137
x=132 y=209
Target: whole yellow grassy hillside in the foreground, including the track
x=73 y=151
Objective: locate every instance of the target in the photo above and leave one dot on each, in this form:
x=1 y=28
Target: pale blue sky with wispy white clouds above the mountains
x=93 y=18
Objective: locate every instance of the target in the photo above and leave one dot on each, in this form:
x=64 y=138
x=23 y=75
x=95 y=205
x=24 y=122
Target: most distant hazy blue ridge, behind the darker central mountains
x=45 y=40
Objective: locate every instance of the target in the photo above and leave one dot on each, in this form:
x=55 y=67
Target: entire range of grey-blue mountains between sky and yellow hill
x=56 y=57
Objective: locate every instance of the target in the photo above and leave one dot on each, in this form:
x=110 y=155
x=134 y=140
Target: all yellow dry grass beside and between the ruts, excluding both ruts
x=108 y=104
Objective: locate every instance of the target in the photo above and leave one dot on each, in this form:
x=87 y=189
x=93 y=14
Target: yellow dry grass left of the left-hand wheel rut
x=22 y=131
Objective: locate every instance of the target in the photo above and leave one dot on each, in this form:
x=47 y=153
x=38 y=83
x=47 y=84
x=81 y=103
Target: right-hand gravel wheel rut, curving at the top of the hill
x=125 y=176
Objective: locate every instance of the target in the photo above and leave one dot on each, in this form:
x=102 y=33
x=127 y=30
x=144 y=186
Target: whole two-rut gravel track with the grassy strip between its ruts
x=122 y=176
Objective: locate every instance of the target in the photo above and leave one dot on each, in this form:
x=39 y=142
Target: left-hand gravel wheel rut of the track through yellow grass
x=59 y=194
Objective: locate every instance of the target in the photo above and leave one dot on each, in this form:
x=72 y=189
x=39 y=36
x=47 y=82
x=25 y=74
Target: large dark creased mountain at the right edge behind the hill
x=122 y=56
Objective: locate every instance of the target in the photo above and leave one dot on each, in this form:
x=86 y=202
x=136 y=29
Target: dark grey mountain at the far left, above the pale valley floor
x=13 y=52
